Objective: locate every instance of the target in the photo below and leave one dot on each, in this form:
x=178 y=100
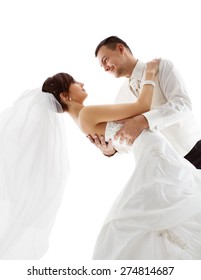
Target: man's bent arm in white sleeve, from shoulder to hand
x=177 y=107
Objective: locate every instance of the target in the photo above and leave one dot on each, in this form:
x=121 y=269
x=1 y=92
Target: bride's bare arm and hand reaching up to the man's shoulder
x=91 y=116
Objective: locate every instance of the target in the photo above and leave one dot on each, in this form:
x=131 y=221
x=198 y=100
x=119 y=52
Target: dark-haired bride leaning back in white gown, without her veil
x=157 y=215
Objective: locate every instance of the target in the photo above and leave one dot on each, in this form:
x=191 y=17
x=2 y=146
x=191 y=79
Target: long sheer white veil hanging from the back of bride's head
x=33 y=171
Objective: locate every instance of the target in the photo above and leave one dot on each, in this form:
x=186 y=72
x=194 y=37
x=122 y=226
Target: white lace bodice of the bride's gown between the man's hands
x=111 y=129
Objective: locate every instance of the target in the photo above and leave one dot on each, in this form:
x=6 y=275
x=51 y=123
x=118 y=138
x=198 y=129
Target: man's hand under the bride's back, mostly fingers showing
x=106 y=147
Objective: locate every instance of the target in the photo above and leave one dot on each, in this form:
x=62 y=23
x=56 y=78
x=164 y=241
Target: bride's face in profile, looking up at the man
x=77 y=92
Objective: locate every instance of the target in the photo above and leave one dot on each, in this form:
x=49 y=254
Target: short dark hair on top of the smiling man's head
x=111 y=43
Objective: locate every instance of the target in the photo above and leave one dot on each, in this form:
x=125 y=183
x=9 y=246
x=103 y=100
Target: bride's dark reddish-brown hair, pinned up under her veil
x=57 y=84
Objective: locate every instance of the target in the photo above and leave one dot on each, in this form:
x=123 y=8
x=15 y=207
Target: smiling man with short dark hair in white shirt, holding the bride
x=171 y=112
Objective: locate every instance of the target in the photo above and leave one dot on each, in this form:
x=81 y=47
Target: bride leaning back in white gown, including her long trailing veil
x=156 y=216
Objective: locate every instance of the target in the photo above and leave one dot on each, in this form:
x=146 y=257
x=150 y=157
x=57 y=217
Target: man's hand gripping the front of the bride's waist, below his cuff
x=131 y=129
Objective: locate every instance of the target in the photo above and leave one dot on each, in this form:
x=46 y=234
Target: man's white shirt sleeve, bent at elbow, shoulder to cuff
x=178 y=105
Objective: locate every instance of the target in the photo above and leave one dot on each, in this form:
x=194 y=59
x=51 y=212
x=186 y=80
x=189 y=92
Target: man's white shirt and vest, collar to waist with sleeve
x=171 y=112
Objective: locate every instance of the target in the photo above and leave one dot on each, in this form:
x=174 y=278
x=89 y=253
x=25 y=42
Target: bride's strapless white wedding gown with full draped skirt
x=157 y=215
